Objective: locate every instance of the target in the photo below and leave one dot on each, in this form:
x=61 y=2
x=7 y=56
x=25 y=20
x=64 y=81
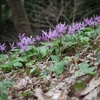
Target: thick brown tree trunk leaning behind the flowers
x=20 y=17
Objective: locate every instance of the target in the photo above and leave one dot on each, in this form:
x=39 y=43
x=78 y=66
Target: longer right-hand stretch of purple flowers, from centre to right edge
x=70 y=29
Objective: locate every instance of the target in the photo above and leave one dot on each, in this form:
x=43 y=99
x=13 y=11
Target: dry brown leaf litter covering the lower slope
x=52 y=87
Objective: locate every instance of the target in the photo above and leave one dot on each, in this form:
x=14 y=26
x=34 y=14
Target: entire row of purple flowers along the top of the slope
x=59 y=31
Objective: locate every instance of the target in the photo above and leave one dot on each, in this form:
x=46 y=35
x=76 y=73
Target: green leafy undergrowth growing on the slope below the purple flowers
x=60 y=52
